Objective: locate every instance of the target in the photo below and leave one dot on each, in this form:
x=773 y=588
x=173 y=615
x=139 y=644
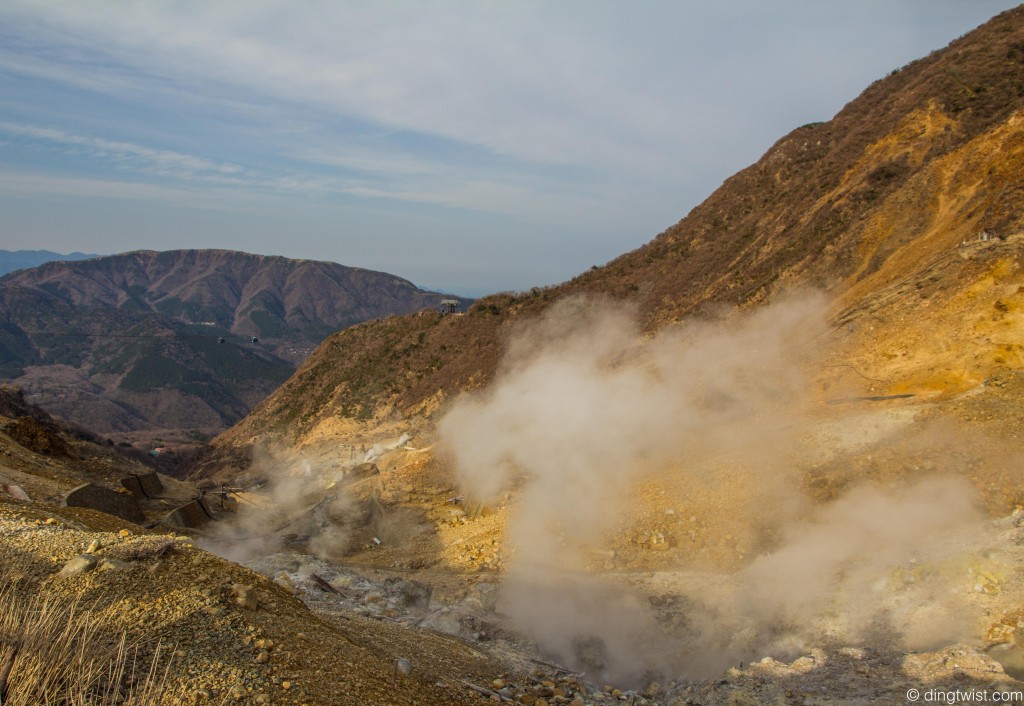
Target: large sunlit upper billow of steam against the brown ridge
x=584 y=407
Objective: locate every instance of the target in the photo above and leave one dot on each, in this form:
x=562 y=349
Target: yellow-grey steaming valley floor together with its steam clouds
x=657 y=508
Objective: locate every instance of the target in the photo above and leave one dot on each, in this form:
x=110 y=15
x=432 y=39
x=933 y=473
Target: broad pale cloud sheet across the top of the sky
x=590 y=85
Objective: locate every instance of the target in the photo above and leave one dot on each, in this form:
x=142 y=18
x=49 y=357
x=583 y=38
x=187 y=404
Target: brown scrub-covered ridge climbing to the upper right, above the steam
x=924 y=160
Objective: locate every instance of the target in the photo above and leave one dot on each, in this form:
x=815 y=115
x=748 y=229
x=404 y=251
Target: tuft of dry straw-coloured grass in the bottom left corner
x=57 y=653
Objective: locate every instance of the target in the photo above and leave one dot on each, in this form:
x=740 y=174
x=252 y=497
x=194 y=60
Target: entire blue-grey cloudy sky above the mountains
x=470 y=146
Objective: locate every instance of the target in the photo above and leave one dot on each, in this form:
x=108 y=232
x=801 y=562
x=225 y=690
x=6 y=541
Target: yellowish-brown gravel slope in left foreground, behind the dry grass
x=232 y=635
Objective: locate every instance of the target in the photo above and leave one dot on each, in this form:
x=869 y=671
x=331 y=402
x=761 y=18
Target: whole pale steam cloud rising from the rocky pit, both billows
x=585 y=408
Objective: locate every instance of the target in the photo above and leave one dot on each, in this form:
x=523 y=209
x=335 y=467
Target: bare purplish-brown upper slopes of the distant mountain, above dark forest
x=288 y=304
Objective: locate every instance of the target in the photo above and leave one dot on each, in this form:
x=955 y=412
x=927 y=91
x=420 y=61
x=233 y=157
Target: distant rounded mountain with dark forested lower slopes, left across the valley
x=179 y=341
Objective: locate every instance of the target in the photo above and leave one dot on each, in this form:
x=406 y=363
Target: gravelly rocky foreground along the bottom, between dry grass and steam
x=308 y=632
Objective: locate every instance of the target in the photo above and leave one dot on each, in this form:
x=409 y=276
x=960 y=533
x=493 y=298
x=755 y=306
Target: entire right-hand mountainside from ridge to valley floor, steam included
x=793 y=474
